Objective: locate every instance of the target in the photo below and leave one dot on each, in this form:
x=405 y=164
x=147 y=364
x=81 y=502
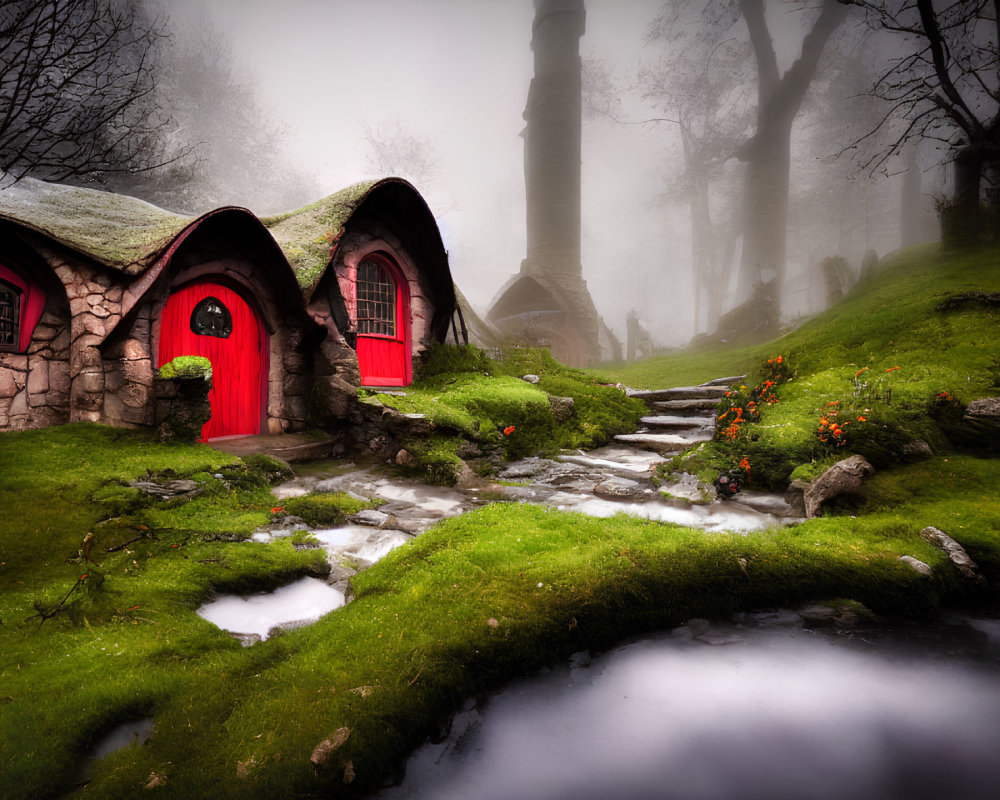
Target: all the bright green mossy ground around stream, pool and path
x=93 y=635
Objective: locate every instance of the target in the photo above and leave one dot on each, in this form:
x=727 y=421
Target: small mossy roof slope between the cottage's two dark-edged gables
x=308 y=235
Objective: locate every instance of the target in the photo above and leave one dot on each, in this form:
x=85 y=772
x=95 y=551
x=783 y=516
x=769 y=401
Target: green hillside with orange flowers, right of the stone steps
x=893 y=366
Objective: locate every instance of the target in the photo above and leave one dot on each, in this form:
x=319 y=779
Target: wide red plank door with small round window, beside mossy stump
x=211 y=320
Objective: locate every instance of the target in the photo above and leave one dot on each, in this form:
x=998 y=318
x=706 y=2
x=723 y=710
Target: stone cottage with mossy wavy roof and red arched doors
x=294 y=311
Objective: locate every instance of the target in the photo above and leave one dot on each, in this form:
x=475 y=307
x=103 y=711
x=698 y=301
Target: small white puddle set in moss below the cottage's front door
x=252 y=617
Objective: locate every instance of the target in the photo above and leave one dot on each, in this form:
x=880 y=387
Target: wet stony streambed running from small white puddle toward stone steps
x=617 y=479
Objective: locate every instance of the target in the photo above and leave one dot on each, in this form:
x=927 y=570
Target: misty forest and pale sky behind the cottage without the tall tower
x=742 y=158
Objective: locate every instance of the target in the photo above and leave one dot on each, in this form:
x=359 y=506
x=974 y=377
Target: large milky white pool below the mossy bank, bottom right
x=736 y=713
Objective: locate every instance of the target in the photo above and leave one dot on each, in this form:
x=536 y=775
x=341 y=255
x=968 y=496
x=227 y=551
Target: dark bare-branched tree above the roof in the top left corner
x=76 y=91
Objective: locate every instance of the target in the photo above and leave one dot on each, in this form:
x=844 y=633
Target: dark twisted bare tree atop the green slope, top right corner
x=944 y=88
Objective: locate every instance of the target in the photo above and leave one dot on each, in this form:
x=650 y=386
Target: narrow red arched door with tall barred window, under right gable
x=383 y=310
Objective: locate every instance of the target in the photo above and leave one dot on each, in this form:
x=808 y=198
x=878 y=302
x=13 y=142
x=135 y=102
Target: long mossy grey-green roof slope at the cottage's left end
x=121 y=232
